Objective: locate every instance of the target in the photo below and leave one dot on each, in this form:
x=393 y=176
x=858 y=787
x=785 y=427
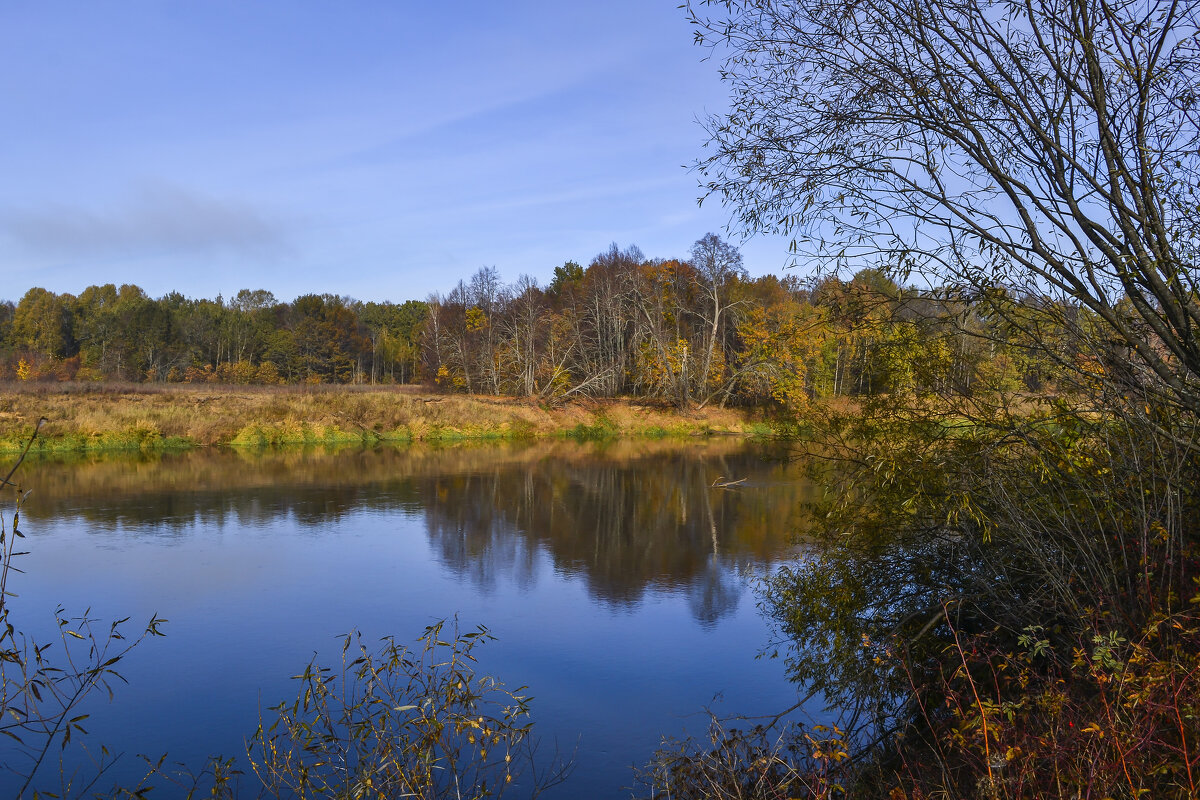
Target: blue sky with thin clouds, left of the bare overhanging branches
x=381 y=151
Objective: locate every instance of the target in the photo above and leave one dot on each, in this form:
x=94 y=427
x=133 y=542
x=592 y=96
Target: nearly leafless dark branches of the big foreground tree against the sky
x=1040 y=147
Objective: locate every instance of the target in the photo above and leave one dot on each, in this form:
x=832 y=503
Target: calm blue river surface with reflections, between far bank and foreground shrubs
x=617 y=581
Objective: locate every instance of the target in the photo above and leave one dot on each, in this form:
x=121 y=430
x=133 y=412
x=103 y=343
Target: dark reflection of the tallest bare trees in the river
x=623 y=526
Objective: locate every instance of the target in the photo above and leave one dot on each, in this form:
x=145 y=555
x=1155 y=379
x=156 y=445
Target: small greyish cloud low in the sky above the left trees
x=155 y=219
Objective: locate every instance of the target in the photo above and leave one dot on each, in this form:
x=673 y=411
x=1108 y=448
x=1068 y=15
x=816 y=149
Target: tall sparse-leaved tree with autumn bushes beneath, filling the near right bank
x=1036 y=165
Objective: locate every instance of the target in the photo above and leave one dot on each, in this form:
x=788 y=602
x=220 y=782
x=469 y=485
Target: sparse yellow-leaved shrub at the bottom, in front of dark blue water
x=394 y=723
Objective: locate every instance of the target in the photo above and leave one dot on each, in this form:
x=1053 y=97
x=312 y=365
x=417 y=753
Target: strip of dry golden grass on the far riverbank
x=129 y=418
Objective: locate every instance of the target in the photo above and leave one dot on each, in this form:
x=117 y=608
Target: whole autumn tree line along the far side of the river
x=683 y=332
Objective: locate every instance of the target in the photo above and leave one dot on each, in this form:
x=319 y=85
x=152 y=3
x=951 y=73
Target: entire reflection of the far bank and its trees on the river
x=626 y=519
